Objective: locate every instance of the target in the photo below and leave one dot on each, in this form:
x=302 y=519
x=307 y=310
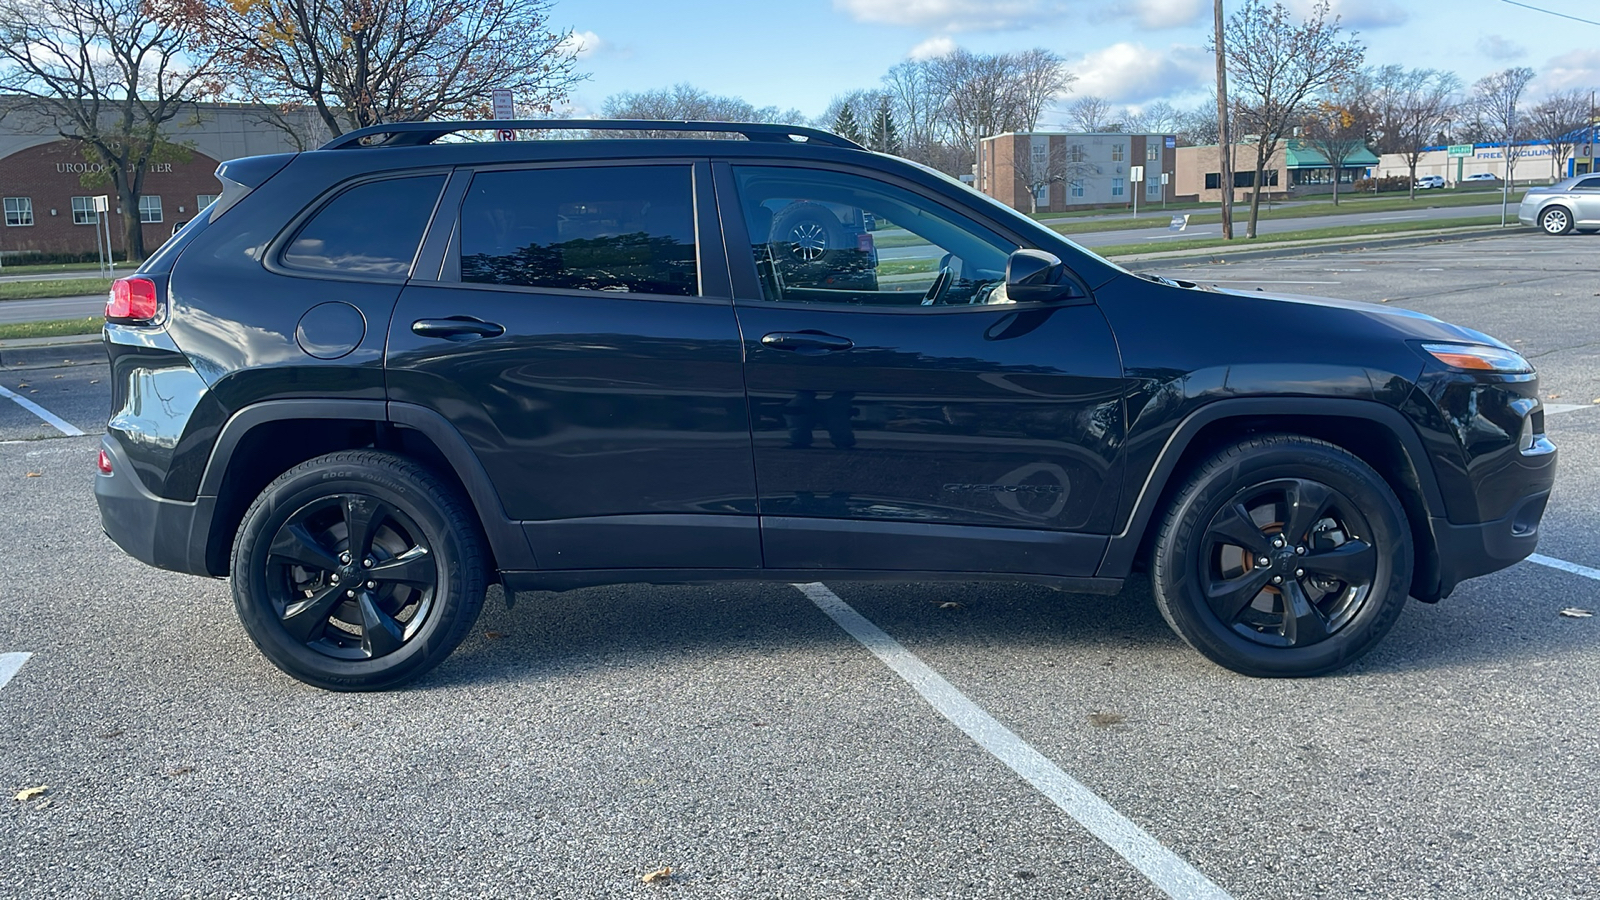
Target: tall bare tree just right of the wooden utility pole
x=1276 y=66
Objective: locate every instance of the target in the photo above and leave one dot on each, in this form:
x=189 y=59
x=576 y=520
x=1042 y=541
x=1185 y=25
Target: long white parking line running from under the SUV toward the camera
x=1170 y=874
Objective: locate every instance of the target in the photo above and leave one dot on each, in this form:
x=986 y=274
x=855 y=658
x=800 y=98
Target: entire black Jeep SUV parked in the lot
x=374 y=379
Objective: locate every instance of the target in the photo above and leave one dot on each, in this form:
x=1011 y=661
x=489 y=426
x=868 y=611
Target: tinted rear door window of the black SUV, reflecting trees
x=604 y=228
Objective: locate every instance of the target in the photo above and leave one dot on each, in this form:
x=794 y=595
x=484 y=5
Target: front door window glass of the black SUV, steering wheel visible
x=836 y=238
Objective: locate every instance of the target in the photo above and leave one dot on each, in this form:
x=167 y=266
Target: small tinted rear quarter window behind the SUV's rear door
x=370 y=230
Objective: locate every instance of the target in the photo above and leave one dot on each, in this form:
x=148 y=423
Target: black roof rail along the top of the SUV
x=417 y=134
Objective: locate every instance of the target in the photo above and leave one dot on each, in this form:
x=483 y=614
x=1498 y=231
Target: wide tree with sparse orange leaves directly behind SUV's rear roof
x=362 y=63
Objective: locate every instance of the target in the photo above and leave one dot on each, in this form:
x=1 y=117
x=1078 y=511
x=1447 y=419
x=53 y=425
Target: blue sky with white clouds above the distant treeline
x=802 y=54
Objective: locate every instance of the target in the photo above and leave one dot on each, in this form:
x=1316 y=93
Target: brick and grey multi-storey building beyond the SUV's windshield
x=1057 y=171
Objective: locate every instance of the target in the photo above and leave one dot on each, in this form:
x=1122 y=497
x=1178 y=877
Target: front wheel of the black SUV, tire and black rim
x=1230 y=561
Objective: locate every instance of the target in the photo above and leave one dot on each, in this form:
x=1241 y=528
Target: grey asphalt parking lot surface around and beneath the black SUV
x=748 y=741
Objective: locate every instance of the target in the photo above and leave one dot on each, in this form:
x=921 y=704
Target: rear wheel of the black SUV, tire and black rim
x=345 y=621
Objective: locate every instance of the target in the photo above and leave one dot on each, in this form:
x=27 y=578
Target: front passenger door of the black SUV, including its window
x=906 y=414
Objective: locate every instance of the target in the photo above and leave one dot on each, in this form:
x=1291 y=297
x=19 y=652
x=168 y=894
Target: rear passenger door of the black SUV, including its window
x=582 y=339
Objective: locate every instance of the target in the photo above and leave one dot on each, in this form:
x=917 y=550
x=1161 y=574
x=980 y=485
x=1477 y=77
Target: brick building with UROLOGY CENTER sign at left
x=49 y=187
